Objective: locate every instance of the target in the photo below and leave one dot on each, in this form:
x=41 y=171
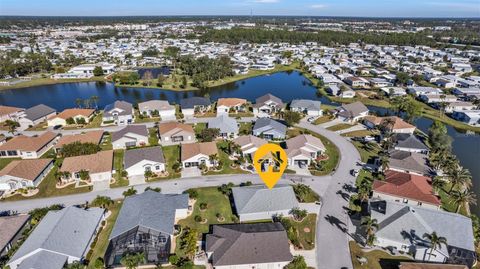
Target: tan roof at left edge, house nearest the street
x=26 y=169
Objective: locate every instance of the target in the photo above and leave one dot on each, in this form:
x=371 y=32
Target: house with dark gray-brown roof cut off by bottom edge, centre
x=243 y=246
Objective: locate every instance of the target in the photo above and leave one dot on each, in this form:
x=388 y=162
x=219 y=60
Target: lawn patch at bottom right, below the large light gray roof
x=373 y=258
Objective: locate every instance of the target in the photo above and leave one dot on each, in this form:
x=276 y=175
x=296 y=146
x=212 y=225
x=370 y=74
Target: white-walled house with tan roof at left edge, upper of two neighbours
x=28 y=147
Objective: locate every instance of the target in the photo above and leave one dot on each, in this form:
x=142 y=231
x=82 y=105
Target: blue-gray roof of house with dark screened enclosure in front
x=151 y=210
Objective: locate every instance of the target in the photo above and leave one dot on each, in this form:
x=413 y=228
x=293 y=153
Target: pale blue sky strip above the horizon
x=358 y=8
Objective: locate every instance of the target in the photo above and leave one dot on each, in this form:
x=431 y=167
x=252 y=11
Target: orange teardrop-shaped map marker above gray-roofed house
x=270 y=161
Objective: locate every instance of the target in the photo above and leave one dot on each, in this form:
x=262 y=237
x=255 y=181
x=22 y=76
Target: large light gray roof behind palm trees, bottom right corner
x=399 y=219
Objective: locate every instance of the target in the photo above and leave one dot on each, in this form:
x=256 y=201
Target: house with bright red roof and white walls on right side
x=407 y=188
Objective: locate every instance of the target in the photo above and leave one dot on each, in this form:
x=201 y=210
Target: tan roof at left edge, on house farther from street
x=28 y=143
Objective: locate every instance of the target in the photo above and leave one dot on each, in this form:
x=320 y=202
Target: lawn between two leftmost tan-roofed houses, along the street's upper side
x=47 y=188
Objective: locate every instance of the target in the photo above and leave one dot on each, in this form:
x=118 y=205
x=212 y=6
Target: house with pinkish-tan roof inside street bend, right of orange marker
x=302 y=149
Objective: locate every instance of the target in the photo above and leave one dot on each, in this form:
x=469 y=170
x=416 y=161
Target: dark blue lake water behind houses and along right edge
x=285 y=85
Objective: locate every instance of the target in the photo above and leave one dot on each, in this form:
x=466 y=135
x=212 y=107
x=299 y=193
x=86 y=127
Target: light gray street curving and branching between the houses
x=332 y=224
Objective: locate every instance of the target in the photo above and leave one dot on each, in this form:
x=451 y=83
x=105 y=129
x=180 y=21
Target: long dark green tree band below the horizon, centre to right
x=237 y=35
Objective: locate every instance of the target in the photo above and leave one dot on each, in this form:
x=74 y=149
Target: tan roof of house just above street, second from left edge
x=93 y=163
